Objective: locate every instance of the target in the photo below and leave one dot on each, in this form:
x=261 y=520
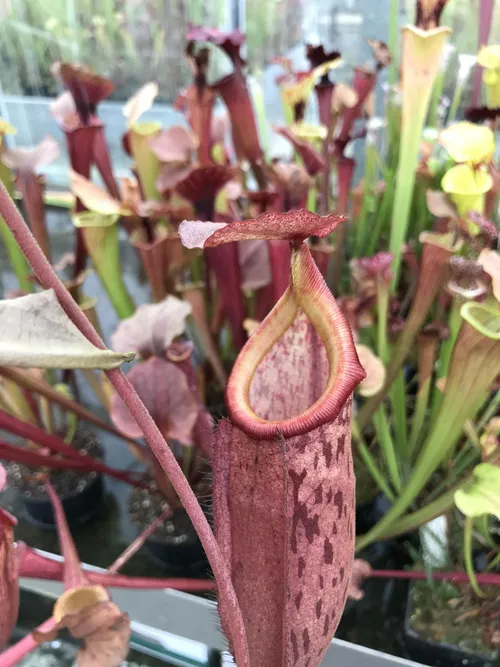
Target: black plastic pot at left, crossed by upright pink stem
x=79 y=506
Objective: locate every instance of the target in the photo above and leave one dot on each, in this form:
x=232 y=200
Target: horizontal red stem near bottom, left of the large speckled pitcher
x=36 y=566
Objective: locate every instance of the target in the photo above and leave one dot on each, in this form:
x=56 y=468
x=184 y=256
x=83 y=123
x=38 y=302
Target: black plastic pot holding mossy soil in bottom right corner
x=430 y=652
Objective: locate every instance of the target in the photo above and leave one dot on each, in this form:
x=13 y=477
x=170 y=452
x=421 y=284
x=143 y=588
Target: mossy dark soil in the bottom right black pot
x=453 y=614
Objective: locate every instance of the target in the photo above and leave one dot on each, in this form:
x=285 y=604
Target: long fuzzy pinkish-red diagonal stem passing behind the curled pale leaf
x=49 y=279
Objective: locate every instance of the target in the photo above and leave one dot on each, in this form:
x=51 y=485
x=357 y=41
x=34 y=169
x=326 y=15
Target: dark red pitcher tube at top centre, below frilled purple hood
x=234 y=92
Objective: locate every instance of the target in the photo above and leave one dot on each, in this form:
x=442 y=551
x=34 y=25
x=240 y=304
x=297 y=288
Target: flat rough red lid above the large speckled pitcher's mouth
x=290 y=226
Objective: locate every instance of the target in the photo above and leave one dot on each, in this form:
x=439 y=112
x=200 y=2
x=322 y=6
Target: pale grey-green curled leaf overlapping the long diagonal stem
x=35 y=332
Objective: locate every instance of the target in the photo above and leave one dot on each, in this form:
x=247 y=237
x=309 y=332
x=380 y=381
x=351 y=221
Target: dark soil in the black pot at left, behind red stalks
x=29 y=482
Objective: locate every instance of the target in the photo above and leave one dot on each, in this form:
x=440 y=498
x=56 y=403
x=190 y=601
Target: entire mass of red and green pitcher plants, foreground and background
x=326 y=309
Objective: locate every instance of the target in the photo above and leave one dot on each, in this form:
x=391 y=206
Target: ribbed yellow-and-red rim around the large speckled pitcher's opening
x=309 y=293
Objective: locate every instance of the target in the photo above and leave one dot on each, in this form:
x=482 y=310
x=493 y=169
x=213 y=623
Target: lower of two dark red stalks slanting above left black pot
x=30 y=458
